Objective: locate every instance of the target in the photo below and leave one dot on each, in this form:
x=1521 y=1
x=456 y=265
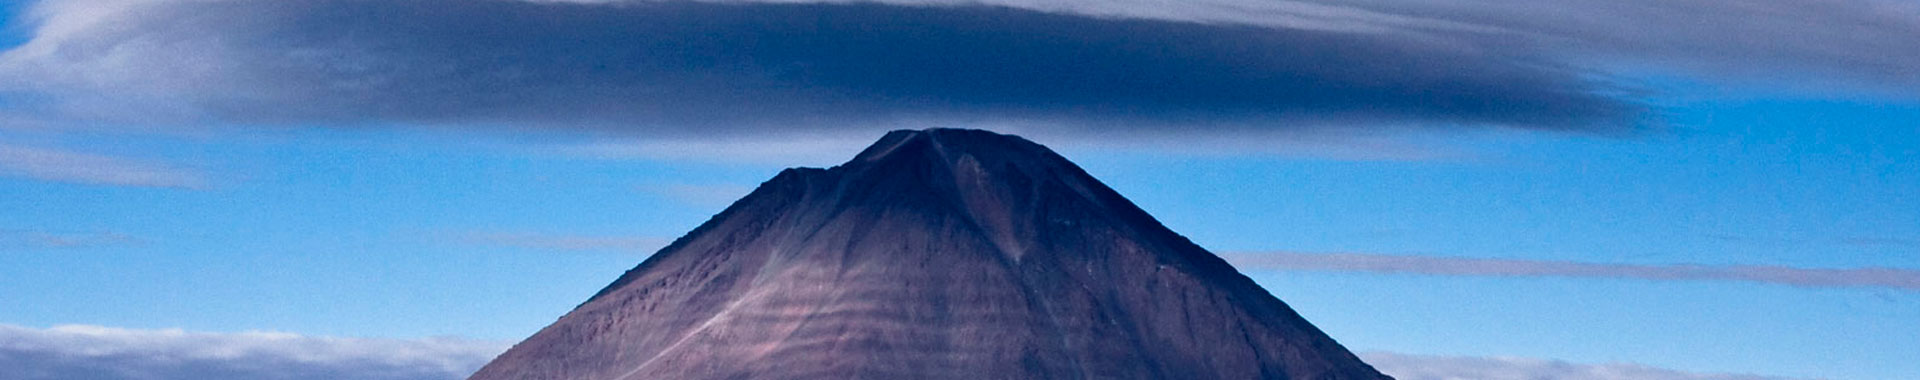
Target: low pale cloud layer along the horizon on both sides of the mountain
x=130 y=354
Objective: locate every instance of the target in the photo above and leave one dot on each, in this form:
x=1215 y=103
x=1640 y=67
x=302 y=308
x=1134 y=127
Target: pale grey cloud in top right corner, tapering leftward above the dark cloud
x=1796 y=45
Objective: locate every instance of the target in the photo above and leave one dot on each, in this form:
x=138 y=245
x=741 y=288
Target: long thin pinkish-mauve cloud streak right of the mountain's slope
x=1871 y=277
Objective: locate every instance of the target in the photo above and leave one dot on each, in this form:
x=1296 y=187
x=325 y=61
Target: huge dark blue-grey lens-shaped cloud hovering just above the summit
x=742 y=68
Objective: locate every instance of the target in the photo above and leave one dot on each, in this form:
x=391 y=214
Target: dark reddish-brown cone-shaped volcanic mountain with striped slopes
x=934 y=254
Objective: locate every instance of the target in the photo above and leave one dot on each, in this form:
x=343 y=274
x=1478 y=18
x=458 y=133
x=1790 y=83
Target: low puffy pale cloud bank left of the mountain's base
x=126 y=354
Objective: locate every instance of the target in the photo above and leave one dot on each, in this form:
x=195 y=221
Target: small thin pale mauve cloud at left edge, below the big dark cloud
x=60 y=166
